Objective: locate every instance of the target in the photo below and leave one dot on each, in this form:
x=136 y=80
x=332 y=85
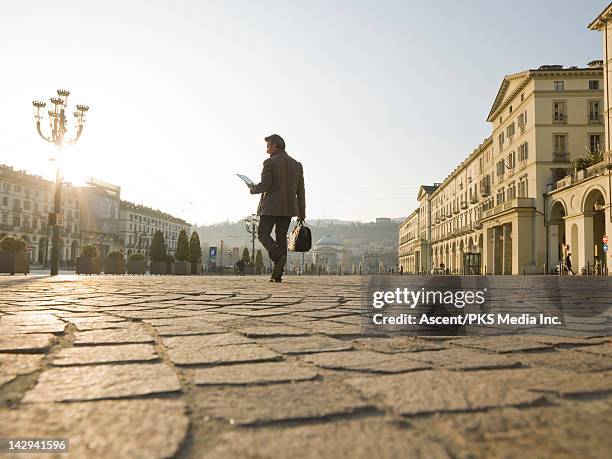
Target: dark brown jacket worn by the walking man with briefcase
x=282 y=187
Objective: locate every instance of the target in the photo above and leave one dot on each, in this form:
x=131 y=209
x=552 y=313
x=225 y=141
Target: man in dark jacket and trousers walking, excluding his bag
x=282 y=197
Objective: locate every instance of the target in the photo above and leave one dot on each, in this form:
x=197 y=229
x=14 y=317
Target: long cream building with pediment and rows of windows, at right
x=490 y=215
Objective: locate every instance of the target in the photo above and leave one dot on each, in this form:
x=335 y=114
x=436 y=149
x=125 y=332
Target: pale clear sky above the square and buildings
x=374 y=98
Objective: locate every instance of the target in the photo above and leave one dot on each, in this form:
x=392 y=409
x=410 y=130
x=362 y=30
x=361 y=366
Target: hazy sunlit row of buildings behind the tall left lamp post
x=93 y=214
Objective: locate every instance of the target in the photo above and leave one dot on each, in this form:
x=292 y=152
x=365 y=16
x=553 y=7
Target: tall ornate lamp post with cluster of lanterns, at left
x=57 y=124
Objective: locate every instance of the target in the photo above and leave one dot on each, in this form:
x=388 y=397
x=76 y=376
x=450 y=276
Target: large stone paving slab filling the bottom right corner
x=579 y=430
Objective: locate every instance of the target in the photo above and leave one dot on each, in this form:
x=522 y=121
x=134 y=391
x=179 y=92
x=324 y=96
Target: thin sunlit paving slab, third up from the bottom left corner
x=87 y=355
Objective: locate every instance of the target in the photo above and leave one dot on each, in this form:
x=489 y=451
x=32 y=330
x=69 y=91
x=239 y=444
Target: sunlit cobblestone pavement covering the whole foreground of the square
x=219 y=367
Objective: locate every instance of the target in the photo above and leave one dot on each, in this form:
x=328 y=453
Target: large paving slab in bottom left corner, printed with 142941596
x=114 y=429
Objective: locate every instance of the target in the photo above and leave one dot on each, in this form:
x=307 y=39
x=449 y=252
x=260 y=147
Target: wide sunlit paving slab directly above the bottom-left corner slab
x=102 y=381
